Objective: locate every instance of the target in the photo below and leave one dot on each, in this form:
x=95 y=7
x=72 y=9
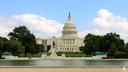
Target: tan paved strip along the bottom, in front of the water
x=63 y=70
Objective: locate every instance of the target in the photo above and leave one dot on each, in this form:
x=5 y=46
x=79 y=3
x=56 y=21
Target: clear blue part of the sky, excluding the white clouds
x=83 y=12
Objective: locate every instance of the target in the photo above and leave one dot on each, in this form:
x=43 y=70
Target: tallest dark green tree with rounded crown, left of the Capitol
x=27 y=39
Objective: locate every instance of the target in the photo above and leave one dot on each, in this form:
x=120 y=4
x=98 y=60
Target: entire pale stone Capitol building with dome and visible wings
x=68 y=42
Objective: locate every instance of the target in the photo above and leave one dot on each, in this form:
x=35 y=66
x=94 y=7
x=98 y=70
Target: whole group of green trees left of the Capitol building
x=21 y=41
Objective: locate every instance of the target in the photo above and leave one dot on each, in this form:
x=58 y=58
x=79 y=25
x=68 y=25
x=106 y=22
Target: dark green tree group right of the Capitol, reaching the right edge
x=110 y=44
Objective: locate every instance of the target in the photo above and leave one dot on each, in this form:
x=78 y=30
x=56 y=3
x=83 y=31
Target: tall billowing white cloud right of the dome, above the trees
x=106 y=22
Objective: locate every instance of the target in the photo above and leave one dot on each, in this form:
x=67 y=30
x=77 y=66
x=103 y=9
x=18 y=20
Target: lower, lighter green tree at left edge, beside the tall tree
x=11 y=45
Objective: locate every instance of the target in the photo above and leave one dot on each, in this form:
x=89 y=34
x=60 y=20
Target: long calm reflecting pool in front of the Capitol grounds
x=64 y=63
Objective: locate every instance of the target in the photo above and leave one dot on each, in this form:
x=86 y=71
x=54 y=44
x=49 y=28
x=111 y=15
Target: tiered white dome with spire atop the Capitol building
x=69 y=29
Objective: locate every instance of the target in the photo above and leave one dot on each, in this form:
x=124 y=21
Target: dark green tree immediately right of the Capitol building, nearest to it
x=92 y=43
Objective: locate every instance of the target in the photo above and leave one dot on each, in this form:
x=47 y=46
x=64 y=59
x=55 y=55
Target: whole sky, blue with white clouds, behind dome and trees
x=46 y=18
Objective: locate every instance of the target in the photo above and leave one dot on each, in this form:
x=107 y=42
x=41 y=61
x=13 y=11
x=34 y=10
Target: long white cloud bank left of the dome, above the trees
x=40 y=26
